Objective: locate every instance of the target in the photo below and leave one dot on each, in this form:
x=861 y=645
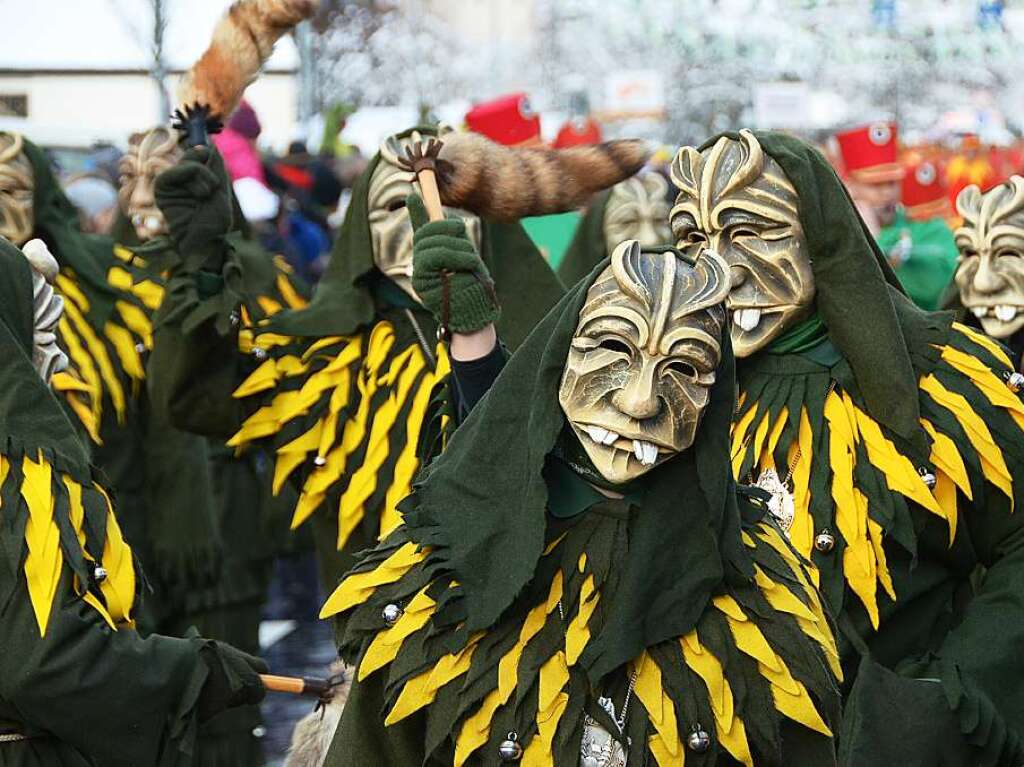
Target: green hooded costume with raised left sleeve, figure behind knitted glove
x=344 y=387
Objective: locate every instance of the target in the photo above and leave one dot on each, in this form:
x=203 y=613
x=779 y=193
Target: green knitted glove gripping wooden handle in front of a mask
x=443 y=253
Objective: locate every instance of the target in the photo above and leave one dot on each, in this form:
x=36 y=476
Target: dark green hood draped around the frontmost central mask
x=484 y=503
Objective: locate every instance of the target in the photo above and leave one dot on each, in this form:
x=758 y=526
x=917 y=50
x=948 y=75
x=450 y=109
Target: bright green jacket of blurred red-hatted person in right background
x=931 y=263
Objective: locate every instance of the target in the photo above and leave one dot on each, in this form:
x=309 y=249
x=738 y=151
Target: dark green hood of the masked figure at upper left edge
x=58 y=225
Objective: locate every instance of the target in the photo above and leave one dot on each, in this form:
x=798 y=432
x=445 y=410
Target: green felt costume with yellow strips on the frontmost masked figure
x=526 y=595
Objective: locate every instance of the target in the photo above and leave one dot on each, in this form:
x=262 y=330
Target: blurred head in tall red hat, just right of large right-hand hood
x=872 y=172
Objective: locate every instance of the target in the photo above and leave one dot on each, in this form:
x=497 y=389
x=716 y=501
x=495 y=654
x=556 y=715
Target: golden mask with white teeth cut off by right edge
x=991 y=273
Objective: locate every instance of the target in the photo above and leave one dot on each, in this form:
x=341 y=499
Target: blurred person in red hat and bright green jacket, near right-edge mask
x=919 y=242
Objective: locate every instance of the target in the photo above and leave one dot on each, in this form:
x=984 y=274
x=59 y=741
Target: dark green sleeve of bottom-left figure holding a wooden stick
x=121 y=700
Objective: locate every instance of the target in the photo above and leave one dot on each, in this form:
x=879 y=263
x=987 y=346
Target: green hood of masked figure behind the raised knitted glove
x=344 y=302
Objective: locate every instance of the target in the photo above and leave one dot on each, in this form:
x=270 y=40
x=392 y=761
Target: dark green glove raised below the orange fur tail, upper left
x=195 y=197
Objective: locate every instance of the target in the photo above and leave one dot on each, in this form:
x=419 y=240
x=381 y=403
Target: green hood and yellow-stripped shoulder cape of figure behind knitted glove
x=348 y=383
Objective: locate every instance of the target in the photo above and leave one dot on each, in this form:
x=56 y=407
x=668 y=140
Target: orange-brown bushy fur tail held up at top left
x=243 y=40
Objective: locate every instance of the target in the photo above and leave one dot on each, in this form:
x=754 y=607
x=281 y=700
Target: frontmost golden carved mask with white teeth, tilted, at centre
x=644 y=358
